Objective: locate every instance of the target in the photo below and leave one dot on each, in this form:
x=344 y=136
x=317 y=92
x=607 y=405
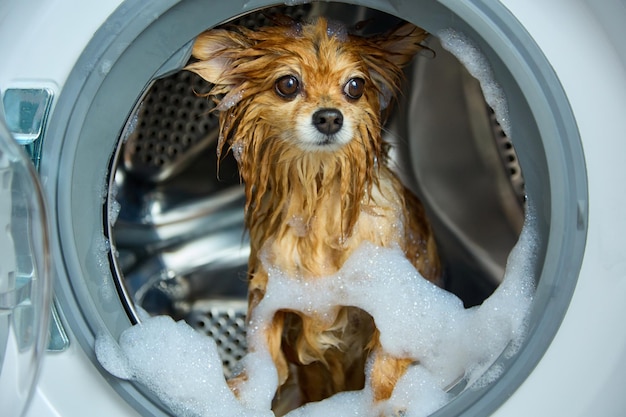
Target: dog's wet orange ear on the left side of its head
x=216 y=50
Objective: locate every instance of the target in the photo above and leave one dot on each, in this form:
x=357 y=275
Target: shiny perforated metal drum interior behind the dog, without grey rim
x=176 y=224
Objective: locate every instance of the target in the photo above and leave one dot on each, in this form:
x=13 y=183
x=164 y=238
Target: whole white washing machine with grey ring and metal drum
x=112 y=207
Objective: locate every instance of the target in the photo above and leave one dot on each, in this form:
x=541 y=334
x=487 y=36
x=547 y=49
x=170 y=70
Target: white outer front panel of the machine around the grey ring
x=582 y=370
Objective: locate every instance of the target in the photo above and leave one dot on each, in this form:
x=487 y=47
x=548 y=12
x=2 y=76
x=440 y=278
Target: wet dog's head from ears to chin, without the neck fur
x=315 y=87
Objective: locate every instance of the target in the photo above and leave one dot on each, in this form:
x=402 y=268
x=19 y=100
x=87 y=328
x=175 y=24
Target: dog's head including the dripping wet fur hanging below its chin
x=304 y=101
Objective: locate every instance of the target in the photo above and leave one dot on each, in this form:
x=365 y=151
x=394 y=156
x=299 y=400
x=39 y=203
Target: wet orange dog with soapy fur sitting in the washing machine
x=302 y=108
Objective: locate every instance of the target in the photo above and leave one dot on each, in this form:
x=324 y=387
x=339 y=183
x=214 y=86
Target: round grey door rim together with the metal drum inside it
x=131 y=224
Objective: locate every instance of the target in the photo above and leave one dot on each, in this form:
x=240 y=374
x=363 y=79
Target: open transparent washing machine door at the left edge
x=24 y=276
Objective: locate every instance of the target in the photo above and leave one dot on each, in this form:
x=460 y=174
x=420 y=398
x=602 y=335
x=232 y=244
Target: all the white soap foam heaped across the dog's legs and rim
x=415 y=318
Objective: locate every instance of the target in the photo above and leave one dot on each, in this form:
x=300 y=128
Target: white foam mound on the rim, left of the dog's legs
x=177 y=364
